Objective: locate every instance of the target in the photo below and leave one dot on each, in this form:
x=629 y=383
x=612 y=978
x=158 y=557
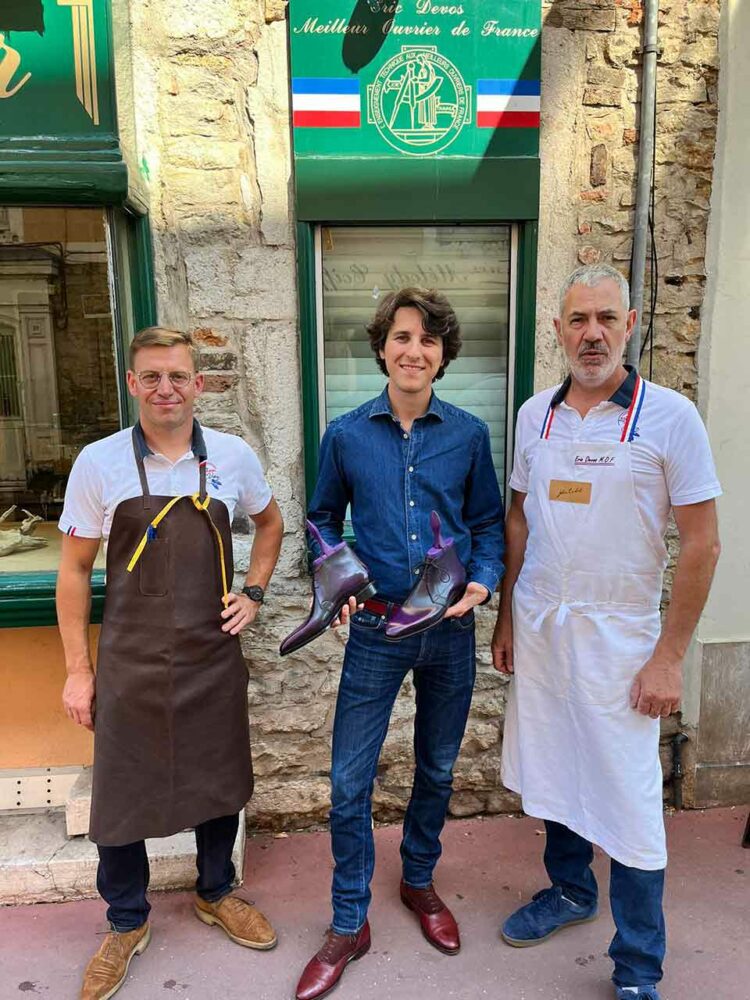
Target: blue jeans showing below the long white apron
x=635 y=897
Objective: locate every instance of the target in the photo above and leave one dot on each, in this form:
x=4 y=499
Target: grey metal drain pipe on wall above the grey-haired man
x=643 y=177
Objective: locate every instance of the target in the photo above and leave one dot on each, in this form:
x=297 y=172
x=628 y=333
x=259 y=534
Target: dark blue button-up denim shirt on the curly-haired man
x=393 y=480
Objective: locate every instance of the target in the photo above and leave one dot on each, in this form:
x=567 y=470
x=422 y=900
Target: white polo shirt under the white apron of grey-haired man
x=670 y=454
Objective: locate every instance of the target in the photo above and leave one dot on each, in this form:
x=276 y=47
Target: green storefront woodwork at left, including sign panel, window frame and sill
x=62 y=145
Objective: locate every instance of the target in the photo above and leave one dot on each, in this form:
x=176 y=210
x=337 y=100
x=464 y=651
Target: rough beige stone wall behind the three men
x=211 y=91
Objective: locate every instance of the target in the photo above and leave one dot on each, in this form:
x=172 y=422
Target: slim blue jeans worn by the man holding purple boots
x=374 y=669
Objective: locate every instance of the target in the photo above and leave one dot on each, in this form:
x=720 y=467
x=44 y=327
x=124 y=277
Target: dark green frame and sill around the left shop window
x=28 y=599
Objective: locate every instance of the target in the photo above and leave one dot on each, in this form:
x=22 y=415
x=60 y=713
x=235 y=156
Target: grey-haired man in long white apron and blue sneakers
x=599 y=463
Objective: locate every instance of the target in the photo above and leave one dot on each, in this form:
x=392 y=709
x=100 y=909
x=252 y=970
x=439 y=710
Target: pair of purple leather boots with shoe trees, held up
x=339 y=574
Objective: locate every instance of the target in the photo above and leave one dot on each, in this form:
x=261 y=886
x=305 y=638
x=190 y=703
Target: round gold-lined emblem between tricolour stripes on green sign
x=419 y=102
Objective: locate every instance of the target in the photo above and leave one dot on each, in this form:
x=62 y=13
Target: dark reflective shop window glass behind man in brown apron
x=58 y=370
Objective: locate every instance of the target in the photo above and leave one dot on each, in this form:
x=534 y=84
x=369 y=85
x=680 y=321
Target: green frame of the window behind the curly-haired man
x=521 y=340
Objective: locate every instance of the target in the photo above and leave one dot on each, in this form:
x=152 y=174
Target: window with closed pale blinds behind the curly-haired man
x=471 y=265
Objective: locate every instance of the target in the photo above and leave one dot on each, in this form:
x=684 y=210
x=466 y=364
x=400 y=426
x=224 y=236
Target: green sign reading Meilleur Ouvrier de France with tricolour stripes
x=399 y=106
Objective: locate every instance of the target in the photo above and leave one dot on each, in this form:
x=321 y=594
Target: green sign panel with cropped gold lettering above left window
x=58 y=126
